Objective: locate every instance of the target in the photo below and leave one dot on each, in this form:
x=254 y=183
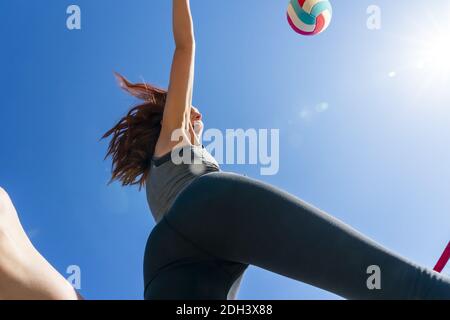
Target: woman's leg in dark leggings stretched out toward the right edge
x=244 y=220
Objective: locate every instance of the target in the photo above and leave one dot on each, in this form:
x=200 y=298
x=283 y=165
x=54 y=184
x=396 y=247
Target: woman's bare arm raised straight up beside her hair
x=179 y=97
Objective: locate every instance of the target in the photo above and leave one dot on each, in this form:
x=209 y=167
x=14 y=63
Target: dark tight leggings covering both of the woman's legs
x=224 y=222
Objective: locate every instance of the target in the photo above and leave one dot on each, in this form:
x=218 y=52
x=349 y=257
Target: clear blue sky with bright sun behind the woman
x=376 y=158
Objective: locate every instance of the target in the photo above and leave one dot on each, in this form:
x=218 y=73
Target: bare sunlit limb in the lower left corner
x=24 y=272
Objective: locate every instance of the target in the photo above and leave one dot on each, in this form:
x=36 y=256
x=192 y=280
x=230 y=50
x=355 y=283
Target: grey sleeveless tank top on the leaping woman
x=174 y=171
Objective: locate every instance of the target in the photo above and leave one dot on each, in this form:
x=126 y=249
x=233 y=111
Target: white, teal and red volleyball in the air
x=309 y=17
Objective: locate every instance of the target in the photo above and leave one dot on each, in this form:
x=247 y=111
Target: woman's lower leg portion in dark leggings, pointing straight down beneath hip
x=175 y=268
